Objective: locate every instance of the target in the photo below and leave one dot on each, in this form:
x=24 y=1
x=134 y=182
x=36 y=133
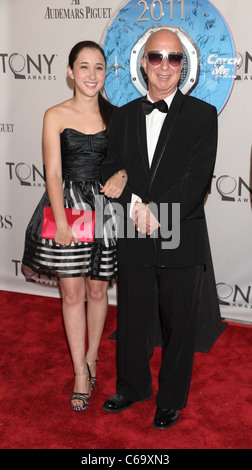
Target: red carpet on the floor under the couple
x=37 y=380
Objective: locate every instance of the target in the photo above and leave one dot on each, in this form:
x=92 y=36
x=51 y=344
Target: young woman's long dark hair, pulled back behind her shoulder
x=106 y=108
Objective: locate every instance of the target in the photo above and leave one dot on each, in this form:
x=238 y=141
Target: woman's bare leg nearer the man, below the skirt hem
x=97 y=306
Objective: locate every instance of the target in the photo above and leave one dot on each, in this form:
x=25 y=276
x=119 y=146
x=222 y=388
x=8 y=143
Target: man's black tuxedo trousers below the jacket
x=143 y=294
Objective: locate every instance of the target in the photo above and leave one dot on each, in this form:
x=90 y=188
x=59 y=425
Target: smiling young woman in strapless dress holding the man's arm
x=75 y=135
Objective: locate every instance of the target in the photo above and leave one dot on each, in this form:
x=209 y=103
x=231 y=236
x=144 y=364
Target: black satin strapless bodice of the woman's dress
x=82 y=155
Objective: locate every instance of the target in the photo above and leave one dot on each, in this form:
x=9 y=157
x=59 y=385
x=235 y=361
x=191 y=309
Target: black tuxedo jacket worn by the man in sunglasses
x=181 y=173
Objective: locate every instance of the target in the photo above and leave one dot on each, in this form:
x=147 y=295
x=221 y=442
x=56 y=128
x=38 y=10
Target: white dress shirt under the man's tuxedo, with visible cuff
x=154 y=122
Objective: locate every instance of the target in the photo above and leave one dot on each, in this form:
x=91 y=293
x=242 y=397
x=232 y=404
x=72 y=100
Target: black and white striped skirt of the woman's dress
x=43 y=259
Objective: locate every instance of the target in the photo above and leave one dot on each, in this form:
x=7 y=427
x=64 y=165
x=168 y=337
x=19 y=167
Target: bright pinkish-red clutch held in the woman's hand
x=82 y=222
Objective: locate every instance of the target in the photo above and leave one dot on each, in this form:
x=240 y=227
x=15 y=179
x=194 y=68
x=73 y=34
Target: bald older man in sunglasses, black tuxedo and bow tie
x=166 y=145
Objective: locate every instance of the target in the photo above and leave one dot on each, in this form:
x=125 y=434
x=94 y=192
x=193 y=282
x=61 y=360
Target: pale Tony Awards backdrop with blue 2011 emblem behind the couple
x=35 y=40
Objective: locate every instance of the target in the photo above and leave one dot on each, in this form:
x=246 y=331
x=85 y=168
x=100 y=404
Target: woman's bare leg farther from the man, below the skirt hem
x=73 y=308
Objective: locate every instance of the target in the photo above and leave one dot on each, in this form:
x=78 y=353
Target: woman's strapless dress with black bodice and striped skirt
x=42 y=260
